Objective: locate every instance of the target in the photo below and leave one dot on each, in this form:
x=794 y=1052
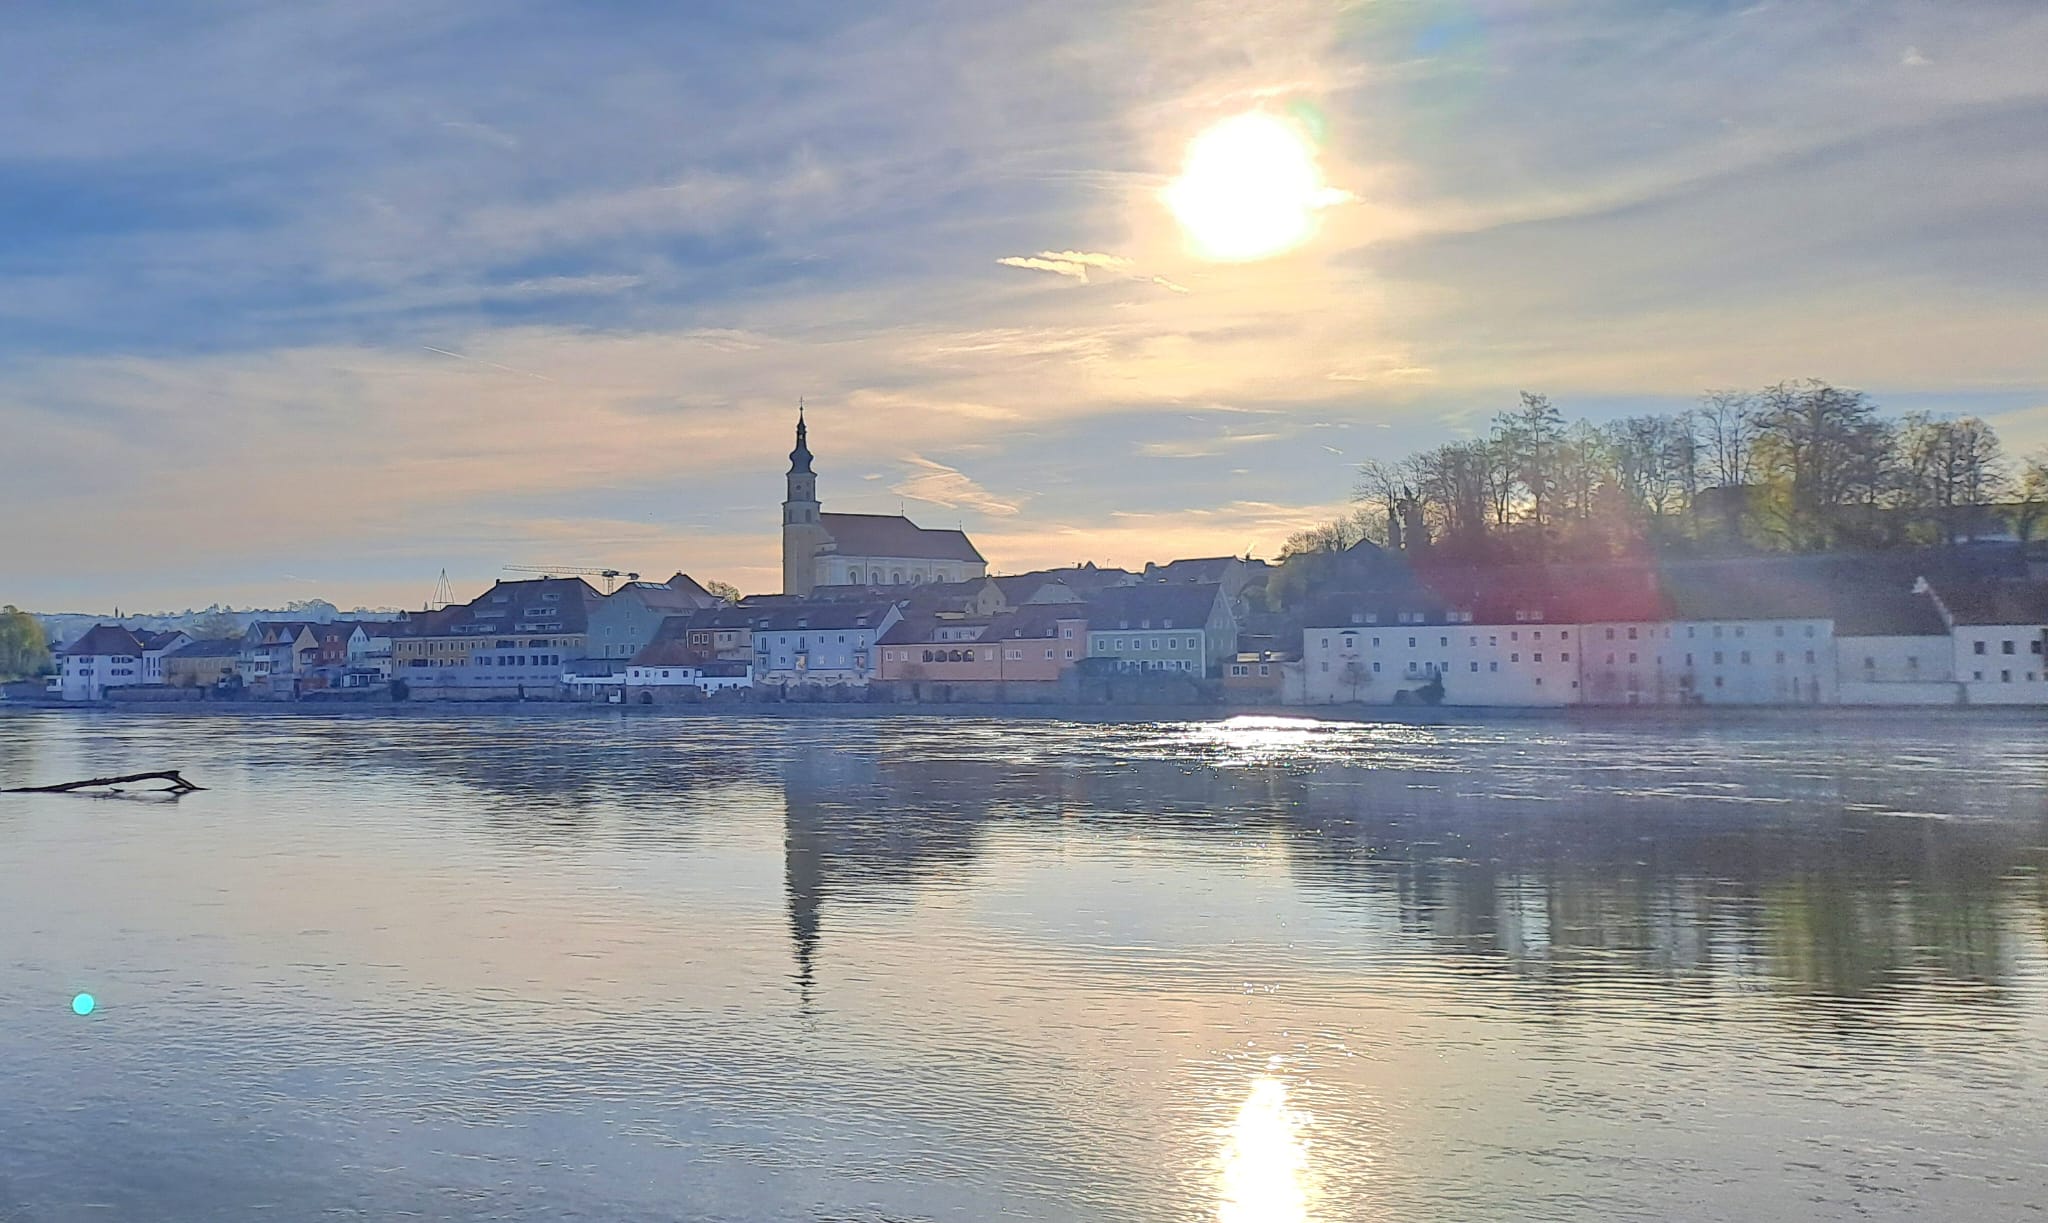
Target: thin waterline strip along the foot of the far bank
x=1048 y=712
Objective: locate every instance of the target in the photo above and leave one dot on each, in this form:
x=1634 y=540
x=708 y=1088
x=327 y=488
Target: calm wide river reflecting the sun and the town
x=902 y=970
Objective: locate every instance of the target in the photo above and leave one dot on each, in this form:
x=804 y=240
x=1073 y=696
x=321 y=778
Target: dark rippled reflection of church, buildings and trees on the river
x=1816 y=880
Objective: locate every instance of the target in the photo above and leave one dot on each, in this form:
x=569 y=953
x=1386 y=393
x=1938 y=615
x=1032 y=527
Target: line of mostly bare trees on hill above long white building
x=1791 y=468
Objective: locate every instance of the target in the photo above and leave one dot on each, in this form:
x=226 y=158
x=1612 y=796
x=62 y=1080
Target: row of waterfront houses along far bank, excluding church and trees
x=1932 y=630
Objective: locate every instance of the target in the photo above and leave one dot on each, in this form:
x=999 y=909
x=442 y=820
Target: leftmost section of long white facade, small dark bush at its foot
x=1478 y=665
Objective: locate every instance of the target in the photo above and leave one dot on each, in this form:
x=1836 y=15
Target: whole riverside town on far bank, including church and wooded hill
x=1656 y=562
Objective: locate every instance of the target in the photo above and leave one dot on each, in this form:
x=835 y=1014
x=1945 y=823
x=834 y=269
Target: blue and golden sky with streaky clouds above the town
x=321 y=300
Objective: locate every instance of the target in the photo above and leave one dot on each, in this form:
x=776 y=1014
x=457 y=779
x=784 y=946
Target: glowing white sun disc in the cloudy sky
x=1250 y=189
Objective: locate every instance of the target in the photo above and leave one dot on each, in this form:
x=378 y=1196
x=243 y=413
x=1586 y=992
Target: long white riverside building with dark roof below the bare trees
x=1705 y=634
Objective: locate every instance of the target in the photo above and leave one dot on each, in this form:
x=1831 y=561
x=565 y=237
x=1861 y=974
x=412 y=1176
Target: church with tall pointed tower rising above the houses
x=861 y=550
